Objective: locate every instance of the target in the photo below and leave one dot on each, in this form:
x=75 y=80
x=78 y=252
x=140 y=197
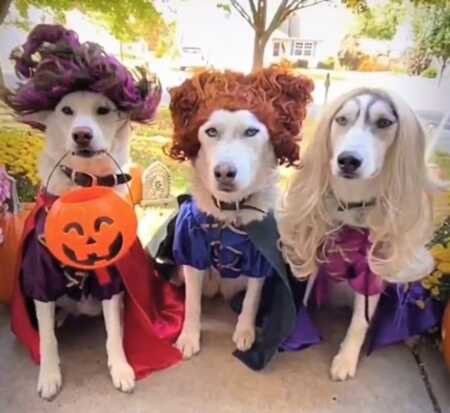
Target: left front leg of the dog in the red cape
x=50 y=379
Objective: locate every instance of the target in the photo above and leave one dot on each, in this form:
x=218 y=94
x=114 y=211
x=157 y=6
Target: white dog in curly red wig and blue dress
x=235 y=130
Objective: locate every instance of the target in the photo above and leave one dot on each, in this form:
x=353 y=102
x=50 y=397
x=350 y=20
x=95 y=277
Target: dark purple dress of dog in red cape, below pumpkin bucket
x=43 y=278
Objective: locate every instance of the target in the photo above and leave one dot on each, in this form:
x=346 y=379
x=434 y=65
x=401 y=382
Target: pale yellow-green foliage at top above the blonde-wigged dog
x=381 y=22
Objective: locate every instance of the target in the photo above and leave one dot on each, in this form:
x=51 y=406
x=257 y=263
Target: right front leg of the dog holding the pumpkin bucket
x=122 y=373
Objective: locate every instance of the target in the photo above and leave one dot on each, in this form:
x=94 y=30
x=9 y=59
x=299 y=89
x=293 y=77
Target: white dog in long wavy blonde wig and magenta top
x=363 y=179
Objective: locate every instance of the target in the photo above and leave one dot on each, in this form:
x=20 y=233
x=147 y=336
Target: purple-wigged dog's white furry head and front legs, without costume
x=82 y=123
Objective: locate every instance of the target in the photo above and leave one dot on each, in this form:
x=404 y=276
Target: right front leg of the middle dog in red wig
x=244 y=333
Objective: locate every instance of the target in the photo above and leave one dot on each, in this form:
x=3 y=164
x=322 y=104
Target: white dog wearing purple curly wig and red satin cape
x=85 y=100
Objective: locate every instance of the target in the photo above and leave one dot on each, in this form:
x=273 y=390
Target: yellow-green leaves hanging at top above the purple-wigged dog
x=127 y=20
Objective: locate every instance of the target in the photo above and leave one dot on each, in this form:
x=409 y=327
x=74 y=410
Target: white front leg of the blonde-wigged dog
x=345 y=362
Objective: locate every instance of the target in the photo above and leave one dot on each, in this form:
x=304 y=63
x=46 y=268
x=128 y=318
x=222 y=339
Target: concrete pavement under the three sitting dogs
x=215 y=382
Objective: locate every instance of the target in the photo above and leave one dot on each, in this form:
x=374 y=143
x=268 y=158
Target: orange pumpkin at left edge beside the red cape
x=12 y=227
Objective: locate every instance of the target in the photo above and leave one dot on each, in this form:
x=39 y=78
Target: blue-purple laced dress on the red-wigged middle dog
x=203 y=242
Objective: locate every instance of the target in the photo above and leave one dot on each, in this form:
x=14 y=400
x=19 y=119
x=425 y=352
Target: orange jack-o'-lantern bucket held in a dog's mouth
x=90 y=228
